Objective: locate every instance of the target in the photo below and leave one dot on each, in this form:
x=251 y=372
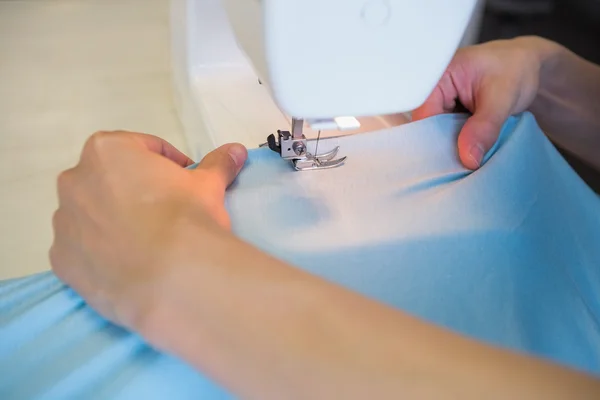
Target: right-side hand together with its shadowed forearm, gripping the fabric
x=501 y=78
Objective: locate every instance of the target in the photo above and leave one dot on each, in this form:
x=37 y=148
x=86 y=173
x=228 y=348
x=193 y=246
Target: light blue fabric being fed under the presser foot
x=509 y=254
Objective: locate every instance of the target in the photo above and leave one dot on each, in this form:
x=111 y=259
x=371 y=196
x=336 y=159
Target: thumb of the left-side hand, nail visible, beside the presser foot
x=224 y=164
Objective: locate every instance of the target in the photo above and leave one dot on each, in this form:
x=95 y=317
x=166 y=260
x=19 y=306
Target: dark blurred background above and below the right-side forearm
x=573 y=23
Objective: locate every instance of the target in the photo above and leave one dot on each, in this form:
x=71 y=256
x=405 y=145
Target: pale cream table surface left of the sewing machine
x=67 y=69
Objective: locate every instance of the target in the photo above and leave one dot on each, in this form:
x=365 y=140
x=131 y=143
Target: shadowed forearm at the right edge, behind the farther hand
x=567 y=106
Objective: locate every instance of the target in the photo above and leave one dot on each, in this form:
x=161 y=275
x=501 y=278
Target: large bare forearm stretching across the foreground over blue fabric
x=267 y=330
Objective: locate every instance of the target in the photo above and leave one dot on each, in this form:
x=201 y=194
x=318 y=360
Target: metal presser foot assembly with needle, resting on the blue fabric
x=293 y=147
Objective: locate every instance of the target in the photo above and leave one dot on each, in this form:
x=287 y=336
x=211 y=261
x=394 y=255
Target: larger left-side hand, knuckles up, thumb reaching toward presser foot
x=124 y=218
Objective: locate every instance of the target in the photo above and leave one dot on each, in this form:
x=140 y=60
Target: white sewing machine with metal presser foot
x=282 y=72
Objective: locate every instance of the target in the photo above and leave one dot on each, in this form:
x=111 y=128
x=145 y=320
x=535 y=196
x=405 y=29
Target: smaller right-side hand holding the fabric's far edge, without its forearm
x=493 y=81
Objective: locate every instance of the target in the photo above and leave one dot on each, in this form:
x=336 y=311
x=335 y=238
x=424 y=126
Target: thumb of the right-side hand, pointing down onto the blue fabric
x=481 y=130
